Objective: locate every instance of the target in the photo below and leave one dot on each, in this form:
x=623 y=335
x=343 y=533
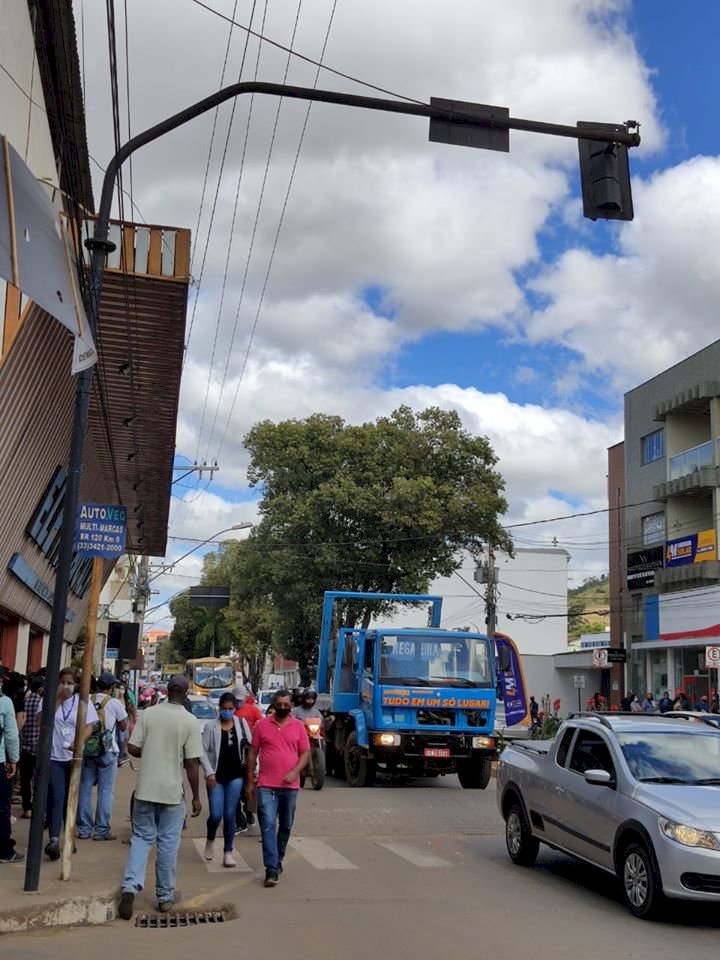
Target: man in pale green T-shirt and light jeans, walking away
x=167 y=738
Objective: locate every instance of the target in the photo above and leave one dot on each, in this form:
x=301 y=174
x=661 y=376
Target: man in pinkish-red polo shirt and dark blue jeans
x=281 y=744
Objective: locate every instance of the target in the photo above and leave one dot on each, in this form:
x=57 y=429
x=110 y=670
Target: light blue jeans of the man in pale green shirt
x=158 y=824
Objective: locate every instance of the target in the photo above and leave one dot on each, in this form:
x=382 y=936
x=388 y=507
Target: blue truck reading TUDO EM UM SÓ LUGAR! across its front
x=417 y=701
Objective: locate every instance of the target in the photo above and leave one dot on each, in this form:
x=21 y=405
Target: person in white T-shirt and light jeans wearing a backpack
x=99 y=767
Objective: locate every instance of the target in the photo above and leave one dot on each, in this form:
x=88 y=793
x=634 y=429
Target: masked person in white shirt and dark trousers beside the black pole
x=61 y=754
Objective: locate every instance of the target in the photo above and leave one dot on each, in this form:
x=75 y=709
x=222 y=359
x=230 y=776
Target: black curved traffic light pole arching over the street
x=479 y=124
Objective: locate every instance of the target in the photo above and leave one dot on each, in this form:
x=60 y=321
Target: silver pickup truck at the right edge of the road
x=633 y=794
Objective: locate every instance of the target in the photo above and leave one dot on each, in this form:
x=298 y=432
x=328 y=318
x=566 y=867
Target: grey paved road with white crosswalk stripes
x=406 y=871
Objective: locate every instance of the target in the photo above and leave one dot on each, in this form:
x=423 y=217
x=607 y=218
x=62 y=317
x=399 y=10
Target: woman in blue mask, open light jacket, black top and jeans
x=225 y=745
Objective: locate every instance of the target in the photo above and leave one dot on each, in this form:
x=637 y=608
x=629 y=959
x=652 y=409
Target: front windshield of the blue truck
x=424 y=660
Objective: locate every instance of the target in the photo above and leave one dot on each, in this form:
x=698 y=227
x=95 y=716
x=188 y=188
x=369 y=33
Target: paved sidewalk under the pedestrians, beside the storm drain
x=90 y=896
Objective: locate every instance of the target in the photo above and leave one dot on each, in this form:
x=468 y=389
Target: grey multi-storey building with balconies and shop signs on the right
x=664 y=569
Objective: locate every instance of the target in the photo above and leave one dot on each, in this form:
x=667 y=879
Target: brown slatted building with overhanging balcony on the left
x=129 y=446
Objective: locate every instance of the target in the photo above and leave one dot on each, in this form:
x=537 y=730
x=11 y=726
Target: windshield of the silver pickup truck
x=664 y=757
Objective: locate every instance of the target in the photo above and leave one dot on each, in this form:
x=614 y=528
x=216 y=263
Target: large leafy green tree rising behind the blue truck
x=381 y=507
